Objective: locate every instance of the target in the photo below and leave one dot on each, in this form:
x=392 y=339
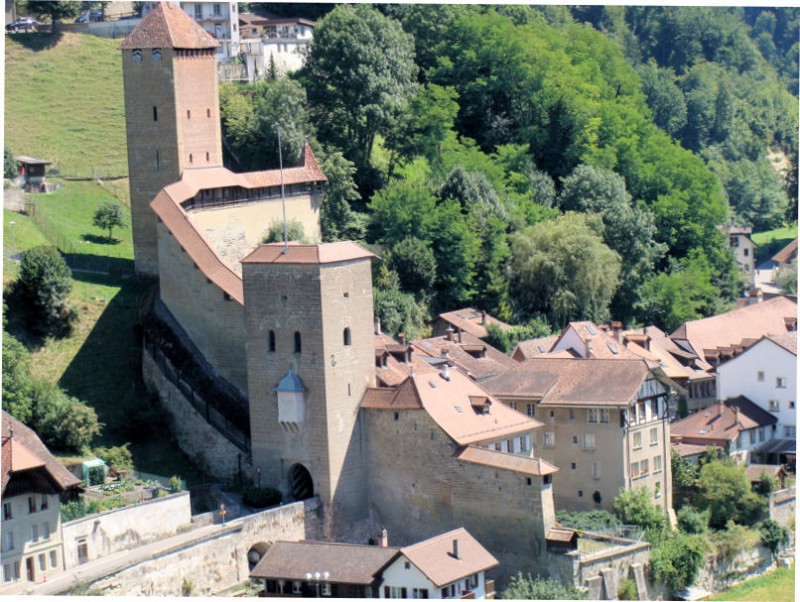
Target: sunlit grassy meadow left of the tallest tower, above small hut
x=63 y=102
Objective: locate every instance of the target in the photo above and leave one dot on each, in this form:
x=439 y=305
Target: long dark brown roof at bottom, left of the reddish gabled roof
x=344 y=563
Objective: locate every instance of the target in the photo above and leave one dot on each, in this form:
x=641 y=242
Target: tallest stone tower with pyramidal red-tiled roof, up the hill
x=169 y=68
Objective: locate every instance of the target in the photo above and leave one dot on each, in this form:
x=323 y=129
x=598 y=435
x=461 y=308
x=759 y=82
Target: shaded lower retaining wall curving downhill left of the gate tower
x=209 y=448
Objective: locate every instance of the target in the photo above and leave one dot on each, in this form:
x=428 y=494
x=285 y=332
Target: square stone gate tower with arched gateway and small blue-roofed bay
x=310 y=357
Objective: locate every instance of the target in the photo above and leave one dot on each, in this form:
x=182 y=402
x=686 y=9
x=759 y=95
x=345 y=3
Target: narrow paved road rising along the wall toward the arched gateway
x=114 y=563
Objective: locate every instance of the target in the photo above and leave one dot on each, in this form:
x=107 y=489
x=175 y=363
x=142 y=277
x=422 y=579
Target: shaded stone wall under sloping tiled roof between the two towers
x=214 y=322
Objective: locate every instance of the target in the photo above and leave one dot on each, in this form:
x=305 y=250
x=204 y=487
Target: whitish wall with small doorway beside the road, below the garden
x=124 y=528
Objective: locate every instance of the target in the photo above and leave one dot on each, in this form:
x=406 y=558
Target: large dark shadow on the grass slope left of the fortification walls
x=106 y=373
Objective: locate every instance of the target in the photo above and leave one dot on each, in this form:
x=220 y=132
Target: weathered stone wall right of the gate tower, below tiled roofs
x=417 y=489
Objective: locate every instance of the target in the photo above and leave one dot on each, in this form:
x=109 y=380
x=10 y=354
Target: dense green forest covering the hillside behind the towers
x=545 y=164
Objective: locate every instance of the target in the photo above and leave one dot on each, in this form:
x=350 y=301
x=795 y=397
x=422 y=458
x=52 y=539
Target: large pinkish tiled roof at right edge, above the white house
x=728 y=329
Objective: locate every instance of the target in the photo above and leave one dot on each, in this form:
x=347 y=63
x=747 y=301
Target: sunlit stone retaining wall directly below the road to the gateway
x=217 y=563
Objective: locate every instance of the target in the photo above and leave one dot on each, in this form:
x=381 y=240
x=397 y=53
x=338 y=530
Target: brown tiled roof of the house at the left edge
x=25 y=451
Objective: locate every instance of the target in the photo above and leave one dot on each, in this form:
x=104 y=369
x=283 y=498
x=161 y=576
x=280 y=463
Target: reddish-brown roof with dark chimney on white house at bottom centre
x=436 y=559
